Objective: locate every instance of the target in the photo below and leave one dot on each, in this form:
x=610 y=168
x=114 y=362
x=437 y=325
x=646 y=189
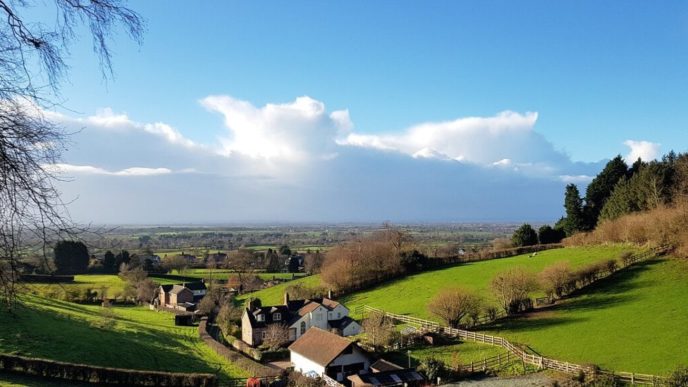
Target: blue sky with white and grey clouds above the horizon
x=359 y=111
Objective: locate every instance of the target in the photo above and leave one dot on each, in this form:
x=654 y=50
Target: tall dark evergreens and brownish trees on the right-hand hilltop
x=619 y=190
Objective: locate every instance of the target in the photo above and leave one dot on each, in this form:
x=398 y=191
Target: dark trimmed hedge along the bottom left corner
x=102 y=375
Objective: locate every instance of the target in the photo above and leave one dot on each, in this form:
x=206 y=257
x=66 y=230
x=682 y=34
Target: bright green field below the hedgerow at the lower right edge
x=634 y=321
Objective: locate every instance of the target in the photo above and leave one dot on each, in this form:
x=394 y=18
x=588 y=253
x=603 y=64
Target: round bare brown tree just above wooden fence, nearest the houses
x=454 y=305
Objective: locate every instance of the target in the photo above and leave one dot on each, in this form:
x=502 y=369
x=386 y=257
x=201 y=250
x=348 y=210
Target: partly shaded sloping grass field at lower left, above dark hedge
x=133 y=337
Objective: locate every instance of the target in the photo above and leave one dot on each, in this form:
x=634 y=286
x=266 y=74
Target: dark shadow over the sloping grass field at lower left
x=37 y=332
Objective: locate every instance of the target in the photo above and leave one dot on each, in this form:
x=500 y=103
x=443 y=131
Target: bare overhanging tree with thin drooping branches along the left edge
x=30 y=207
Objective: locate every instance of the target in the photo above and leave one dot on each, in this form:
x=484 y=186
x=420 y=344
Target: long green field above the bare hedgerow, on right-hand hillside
x=411 y=295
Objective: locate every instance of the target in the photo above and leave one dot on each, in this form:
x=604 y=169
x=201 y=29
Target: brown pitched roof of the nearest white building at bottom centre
x=320 y=346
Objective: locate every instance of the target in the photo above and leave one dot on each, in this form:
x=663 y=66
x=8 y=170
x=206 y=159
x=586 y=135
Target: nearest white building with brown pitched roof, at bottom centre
x=319 y=352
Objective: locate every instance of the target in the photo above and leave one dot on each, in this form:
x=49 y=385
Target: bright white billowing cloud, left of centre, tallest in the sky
x=293 y=131
